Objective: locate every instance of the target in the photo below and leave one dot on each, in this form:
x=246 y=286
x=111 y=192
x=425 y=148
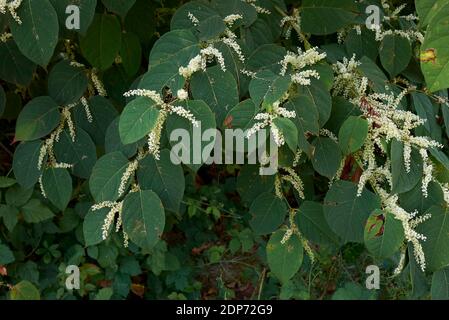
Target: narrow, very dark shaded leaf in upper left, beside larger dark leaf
x=131 y=53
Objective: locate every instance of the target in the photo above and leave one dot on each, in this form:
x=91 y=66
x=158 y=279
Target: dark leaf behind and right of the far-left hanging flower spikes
x=82 y=153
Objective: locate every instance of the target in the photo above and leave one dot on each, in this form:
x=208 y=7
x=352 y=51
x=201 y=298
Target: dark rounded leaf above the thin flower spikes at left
x=66 y=84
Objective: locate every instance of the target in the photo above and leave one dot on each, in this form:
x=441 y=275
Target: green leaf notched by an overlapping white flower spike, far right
x=404 y=181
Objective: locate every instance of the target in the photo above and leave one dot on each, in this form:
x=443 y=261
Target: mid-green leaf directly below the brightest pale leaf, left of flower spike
x=106 y=176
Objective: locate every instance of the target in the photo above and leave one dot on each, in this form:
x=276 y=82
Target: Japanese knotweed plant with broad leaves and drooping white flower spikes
x=356 y=106
